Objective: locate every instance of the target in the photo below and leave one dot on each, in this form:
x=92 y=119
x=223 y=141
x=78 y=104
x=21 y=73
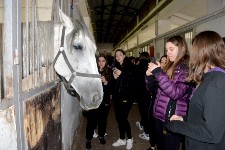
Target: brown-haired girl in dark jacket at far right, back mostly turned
x=205 y=125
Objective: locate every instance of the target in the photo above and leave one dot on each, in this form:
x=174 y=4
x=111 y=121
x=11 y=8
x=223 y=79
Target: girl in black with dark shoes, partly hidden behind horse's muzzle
x=98 y=117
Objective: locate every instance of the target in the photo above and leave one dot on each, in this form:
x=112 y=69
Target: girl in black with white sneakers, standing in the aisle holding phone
x=123 y=72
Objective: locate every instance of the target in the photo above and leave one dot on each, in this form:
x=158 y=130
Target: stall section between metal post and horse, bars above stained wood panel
x=41 y=90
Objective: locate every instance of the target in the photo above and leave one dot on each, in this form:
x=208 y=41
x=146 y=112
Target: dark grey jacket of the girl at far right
x=205 y=126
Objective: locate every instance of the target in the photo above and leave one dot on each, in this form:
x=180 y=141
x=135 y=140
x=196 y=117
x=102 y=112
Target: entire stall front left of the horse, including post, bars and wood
x=30 y=108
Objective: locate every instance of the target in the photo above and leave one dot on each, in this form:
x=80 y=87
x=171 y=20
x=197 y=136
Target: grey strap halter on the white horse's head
x=74 y=73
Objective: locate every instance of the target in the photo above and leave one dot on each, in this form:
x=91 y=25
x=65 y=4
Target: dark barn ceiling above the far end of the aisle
x=111 y=17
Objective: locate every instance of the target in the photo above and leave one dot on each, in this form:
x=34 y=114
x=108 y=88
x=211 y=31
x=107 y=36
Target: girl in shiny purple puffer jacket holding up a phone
x=172 y=91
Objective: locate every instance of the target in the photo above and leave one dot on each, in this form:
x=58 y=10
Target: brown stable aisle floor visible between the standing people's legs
x=113 y=133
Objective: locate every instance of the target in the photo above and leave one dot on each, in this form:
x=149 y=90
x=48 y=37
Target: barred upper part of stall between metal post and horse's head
x=37 y=51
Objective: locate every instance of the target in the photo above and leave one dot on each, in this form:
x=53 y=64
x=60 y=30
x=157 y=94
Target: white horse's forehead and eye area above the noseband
x=83 y=57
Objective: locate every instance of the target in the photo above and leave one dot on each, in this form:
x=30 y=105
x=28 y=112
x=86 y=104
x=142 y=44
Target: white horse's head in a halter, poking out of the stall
x=75 y=60
